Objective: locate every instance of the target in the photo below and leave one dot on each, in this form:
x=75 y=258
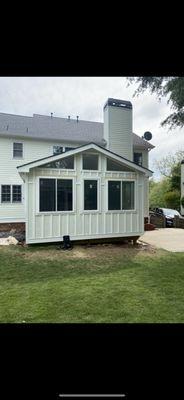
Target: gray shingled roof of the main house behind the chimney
x=55 y=128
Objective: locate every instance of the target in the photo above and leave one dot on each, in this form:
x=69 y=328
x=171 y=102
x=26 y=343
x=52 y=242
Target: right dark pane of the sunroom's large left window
x=64 y=195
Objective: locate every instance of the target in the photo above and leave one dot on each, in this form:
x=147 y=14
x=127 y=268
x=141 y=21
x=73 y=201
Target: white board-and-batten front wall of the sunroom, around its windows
x=80 y=224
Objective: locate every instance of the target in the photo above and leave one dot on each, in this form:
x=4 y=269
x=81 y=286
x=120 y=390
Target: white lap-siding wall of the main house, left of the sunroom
x=32 y=150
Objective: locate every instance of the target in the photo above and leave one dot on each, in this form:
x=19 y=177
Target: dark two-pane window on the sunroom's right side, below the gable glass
x=121 y=195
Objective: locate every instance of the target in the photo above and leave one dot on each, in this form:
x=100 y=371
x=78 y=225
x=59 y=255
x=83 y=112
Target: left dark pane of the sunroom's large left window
x=47 y=195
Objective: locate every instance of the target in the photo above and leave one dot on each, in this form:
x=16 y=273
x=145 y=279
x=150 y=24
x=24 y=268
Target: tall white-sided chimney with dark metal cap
x=118 y=127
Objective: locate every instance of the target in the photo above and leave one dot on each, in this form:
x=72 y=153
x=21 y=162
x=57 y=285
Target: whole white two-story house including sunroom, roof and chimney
x=64 y=176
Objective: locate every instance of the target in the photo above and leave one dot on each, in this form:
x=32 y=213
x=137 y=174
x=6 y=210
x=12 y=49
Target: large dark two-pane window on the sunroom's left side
x=56 y=194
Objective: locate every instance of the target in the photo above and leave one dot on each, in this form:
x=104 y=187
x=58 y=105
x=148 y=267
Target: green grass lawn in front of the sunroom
x=114 y=283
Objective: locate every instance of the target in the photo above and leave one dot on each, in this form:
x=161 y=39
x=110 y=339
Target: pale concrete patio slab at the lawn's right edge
x=171 y=239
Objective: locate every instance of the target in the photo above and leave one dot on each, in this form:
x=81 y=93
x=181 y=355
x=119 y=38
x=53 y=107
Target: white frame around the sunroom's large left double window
x=55 y=212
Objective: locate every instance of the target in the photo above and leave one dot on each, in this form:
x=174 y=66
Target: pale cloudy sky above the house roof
x=85 y=96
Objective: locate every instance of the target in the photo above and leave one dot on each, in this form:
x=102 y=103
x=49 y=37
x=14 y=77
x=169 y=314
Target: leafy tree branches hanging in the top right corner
x=165 y=86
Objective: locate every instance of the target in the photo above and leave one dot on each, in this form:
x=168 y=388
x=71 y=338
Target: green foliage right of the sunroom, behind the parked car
x=157 y=191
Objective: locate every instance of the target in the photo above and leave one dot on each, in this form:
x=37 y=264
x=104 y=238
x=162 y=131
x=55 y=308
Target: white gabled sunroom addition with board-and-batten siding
x=87 y=193
